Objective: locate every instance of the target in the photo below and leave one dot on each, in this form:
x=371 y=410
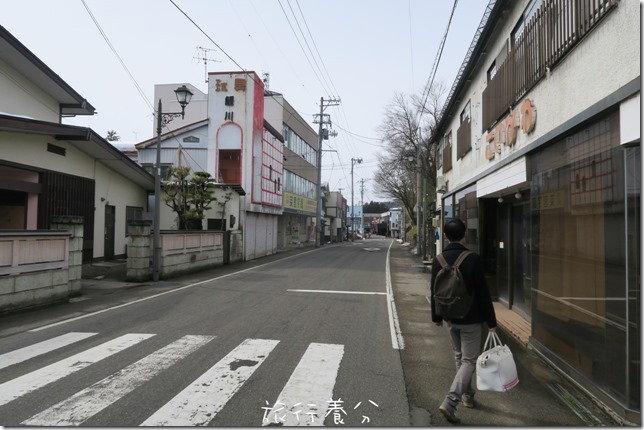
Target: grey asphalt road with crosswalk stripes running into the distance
x=308 y=338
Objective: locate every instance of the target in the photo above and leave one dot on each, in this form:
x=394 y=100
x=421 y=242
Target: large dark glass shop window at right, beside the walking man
x=585 y=256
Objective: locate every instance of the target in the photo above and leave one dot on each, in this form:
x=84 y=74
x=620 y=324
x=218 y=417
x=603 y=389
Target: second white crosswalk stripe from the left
x=25 y=384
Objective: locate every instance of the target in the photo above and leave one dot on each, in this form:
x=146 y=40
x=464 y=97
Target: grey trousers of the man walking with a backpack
x=466 y=344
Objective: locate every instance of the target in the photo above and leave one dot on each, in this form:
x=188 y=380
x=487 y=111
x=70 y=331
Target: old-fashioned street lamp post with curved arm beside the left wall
x=183 y=97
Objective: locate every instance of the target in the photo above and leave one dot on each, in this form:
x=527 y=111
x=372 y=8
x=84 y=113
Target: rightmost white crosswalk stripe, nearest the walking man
x=304 y=399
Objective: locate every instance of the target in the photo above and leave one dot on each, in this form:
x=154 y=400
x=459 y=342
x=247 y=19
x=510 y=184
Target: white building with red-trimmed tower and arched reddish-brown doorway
x=230 y=139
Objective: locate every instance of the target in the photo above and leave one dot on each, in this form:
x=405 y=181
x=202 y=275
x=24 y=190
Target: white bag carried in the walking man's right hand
x=495 y=368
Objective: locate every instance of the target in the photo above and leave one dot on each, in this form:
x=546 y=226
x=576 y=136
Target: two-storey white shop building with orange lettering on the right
x=540 y=140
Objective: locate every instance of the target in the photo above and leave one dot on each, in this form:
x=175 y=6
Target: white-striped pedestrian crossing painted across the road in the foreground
x=304 y=399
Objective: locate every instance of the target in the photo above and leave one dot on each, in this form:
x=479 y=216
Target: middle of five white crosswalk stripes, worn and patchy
x=86 y=403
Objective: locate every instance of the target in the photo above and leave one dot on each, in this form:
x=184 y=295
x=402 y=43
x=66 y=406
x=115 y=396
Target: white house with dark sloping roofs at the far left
x=48 y=168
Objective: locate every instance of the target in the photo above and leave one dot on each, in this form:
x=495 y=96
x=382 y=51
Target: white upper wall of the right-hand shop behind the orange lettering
x=607 y=59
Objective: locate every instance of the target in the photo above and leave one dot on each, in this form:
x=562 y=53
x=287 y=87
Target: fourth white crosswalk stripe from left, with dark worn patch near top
x=198 y=403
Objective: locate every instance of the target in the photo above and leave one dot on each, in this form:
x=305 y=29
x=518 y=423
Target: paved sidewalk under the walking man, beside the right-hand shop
x=428 y=363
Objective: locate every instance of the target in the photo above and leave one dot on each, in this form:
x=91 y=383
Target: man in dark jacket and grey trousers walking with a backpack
x=465 y=334
